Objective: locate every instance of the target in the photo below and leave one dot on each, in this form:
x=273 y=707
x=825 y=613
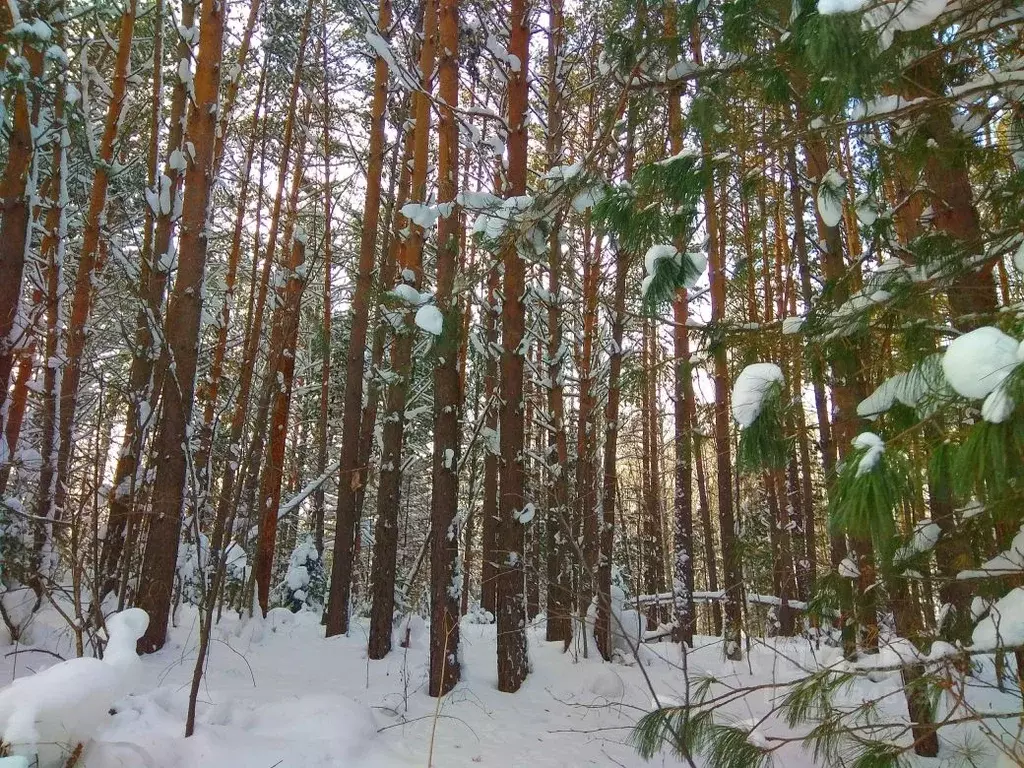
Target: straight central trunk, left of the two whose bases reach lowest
x=445 y=670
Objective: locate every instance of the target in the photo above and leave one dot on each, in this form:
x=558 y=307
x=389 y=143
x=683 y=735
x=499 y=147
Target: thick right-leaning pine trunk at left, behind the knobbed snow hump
x=183 y=331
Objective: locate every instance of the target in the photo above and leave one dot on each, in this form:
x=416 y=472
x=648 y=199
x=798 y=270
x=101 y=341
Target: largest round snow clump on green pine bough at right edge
x=976 y=364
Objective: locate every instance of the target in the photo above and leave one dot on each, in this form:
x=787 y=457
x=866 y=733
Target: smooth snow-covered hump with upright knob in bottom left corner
x=50 y=714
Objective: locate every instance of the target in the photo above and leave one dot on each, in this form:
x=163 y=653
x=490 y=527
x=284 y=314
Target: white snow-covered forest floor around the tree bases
x=277 y=695
